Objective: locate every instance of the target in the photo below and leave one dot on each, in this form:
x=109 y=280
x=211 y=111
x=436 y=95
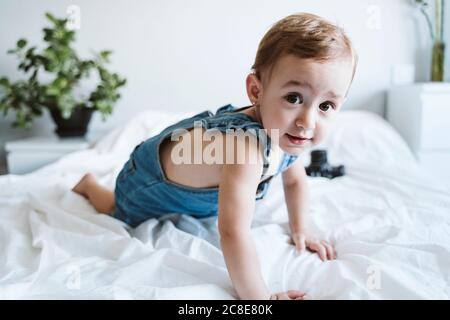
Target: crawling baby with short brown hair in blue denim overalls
x=303 y=70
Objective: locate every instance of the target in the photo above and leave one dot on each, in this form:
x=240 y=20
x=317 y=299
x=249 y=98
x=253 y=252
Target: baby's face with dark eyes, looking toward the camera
x=301 y=98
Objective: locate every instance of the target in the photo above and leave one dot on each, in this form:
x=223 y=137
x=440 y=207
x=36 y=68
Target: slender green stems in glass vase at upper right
x=437 y=36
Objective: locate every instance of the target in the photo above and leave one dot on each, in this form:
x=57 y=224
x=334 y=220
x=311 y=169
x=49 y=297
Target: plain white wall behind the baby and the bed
x=195 y=54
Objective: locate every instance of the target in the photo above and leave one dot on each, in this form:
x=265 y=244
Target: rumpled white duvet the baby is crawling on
x=388 y=220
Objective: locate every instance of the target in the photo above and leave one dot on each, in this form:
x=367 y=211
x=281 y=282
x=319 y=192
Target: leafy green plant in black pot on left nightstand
x=64 y=70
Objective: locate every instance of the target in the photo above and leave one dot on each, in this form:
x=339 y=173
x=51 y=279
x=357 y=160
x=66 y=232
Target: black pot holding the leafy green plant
x=75 y=126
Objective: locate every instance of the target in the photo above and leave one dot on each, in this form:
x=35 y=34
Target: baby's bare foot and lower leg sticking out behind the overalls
x=100 y=197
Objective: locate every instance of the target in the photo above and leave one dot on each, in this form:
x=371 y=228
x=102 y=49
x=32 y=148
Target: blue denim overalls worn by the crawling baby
x=143 y=192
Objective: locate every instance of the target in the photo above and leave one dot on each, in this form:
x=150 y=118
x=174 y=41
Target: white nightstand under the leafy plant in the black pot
x=24 y=156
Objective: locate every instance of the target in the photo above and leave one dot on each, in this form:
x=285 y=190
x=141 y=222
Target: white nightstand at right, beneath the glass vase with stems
x=421 y=114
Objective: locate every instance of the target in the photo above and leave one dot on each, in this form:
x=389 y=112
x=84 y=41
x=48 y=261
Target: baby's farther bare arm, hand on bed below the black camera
x=296 y=190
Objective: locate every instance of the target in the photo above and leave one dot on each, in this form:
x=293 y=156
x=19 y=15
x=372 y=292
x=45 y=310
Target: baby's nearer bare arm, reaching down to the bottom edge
x=237 y=191
